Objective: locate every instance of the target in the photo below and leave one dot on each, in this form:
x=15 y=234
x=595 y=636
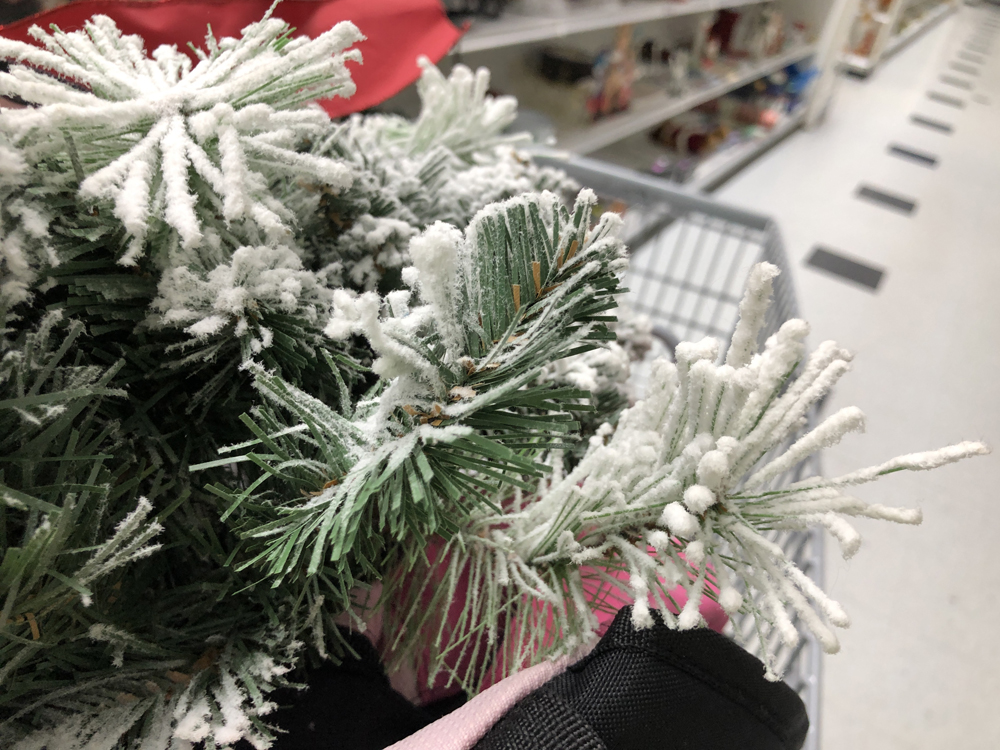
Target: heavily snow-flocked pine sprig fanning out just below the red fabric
x=141 y=128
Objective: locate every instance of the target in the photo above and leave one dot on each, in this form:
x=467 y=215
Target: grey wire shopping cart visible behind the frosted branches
x=690 y=259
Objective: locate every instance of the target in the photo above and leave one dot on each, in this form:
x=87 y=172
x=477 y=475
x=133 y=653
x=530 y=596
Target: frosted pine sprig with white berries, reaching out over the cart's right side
x=682 y=491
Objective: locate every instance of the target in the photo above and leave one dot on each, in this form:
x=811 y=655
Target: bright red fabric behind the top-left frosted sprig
x=398 y=32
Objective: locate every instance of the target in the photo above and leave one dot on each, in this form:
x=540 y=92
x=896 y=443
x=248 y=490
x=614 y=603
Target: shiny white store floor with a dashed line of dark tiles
x=920 y=667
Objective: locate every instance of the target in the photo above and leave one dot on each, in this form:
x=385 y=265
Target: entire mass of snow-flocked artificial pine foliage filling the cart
x=254 y=363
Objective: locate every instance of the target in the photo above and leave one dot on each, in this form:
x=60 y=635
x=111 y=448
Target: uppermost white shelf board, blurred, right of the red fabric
x=512 y=29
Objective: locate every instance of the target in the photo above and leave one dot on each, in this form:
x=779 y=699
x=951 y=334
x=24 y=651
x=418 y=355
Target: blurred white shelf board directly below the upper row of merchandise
x=650 y=110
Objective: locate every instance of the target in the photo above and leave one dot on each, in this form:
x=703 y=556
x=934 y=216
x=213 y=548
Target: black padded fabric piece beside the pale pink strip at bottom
x=658 y=689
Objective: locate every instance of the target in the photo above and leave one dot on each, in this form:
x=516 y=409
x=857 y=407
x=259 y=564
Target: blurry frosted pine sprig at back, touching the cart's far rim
x=448 y=165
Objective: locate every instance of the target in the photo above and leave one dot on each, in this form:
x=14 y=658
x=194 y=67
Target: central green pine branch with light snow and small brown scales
x=462 y=396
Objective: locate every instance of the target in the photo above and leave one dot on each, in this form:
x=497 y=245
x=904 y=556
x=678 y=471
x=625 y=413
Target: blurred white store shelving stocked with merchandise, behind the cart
x=766 y=56
